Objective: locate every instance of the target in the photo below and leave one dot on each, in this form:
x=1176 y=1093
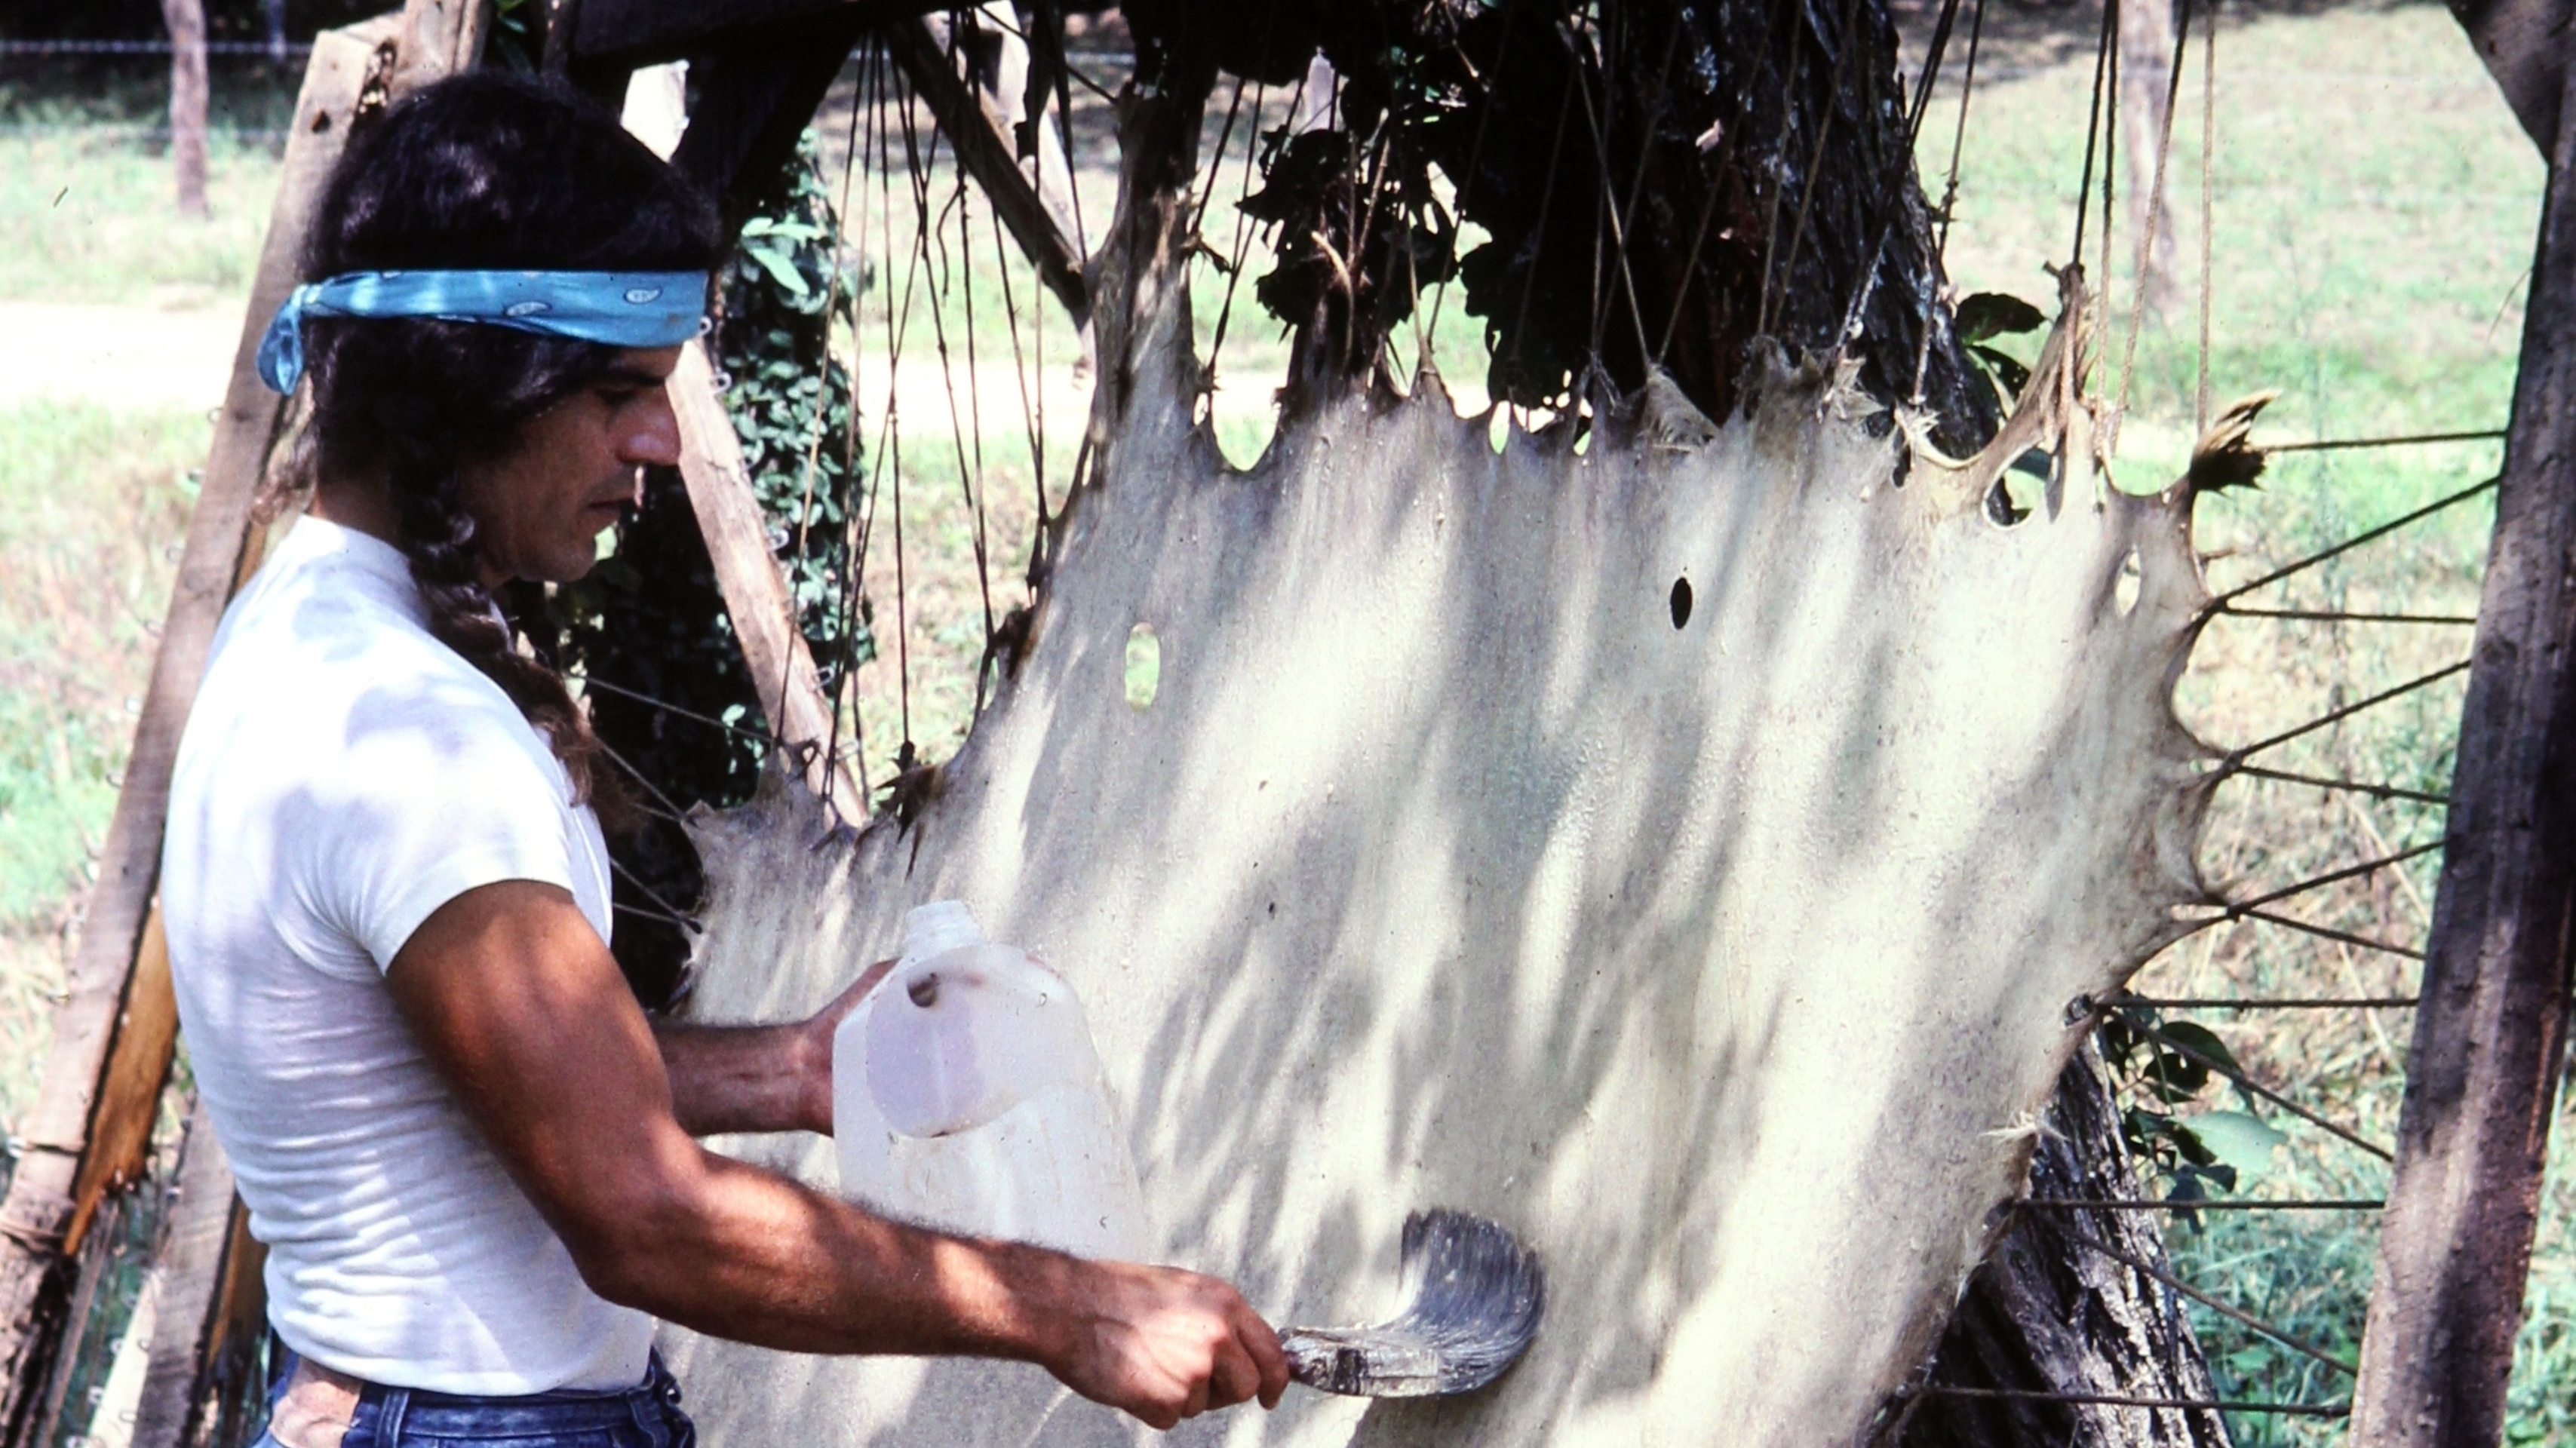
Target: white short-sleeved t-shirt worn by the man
x=344 y=777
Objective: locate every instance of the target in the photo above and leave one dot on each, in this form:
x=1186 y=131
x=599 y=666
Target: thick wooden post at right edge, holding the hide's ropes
x=2490 y=1037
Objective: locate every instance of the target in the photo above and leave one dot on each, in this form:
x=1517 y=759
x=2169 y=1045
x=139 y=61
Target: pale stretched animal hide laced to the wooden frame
x=1725 y=952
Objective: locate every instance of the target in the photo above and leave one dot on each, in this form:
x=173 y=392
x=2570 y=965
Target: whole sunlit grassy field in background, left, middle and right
x=2374 y=223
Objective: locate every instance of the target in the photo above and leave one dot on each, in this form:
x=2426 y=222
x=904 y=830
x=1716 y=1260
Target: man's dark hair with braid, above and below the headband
x=488 y=174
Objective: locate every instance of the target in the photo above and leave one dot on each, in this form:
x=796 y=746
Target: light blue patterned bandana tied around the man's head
x=612 y=308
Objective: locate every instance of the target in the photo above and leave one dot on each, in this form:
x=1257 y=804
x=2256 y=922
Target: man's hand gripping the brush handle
x=1166 y=1344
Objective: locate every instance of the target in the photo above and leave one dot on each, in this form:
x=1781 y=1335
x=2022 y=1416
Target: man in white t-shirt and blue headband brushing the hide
x=468 y=1150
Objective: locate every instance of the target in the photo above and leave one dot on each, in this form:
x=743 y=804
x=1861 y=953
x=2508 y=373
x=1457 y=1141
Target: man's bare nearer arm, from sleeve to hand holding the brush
x=524 y=1014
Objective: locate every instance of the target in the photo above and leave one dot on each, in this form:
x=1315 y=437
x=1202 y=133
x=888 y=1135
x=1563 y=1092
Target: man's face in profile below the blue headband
x=542 y=506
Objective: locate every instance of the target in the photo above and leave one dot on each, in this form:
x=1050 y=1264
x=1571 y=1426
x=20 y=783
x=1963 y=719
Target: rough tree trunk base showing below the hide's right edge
x=2052 y=1313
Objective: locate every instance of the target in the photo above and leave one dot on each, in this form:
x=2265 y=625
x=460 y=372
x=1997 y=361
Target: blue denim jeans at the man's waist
x=645 y=1416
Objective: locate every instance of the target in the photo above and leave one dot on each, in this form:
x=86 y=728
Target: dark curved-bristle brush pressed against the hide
x=1470 y=1308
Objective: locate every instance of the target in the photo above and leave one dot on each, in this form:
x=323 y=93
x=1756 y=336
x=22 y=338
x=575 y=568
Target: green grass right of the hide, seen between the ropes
x=2374 y=225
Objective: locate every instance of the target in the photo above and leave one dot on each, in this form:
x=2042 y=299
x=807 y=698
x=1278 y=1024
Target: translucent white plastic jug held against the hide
x=967 y=1096
